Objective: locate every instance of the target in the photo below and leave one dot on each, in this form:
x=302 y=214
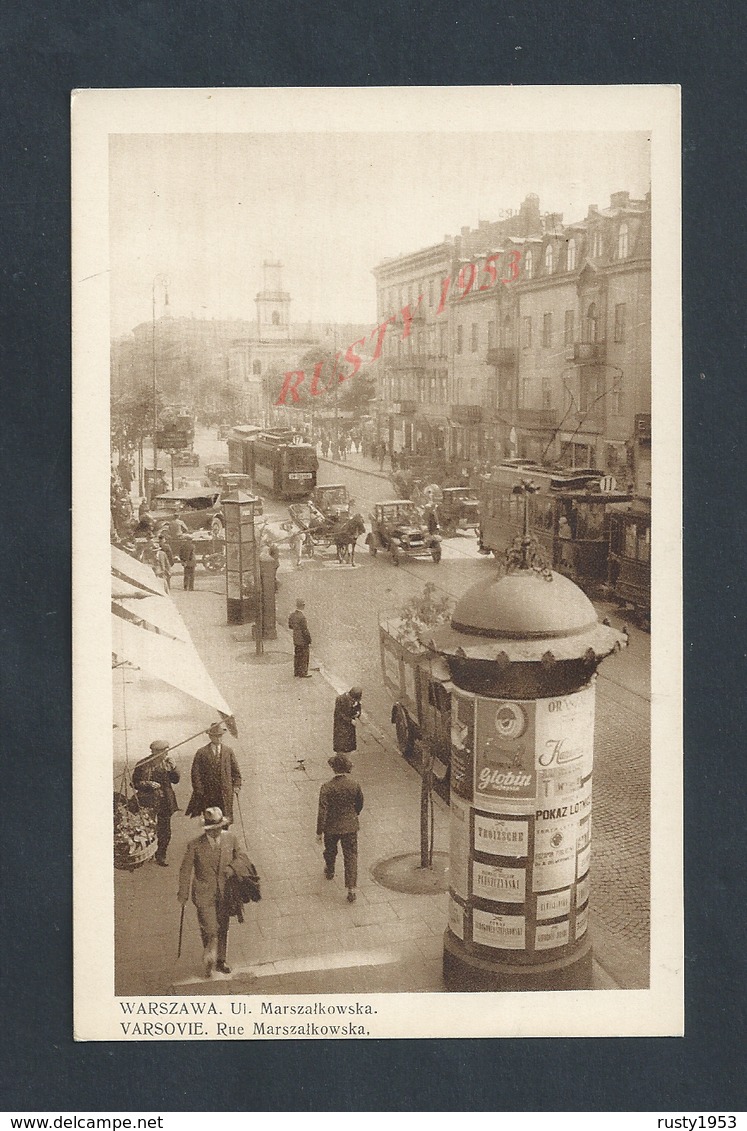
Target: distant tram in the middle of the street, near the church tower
x=278 y=462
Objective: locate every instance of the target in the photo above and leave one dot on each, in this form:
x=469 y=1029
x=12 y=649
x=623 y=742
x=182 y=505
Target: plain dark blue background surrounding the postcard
x=49 y=49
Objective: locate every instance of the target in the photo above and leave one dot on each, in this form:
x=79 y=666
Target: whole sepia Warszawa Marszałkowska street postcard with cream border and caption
x=387 y=388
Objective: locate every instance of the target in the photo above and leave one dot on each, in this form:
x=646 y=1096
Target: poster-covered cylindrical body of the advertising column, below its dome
x=521 y=833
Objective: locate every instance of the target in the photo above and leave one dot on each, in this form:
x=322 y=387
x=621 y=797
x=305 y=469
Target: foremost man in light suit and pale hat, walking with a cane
x=208 y=864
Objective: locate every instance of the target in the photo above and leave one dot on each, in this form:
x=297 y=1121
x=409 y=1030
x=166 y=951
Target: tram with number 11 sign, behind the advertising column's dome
x=570 y=516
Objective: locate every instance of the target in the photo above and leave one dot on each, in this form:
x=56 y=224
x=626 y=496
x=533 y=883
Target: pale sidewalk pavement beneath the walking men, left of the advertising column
x=303 y=937
